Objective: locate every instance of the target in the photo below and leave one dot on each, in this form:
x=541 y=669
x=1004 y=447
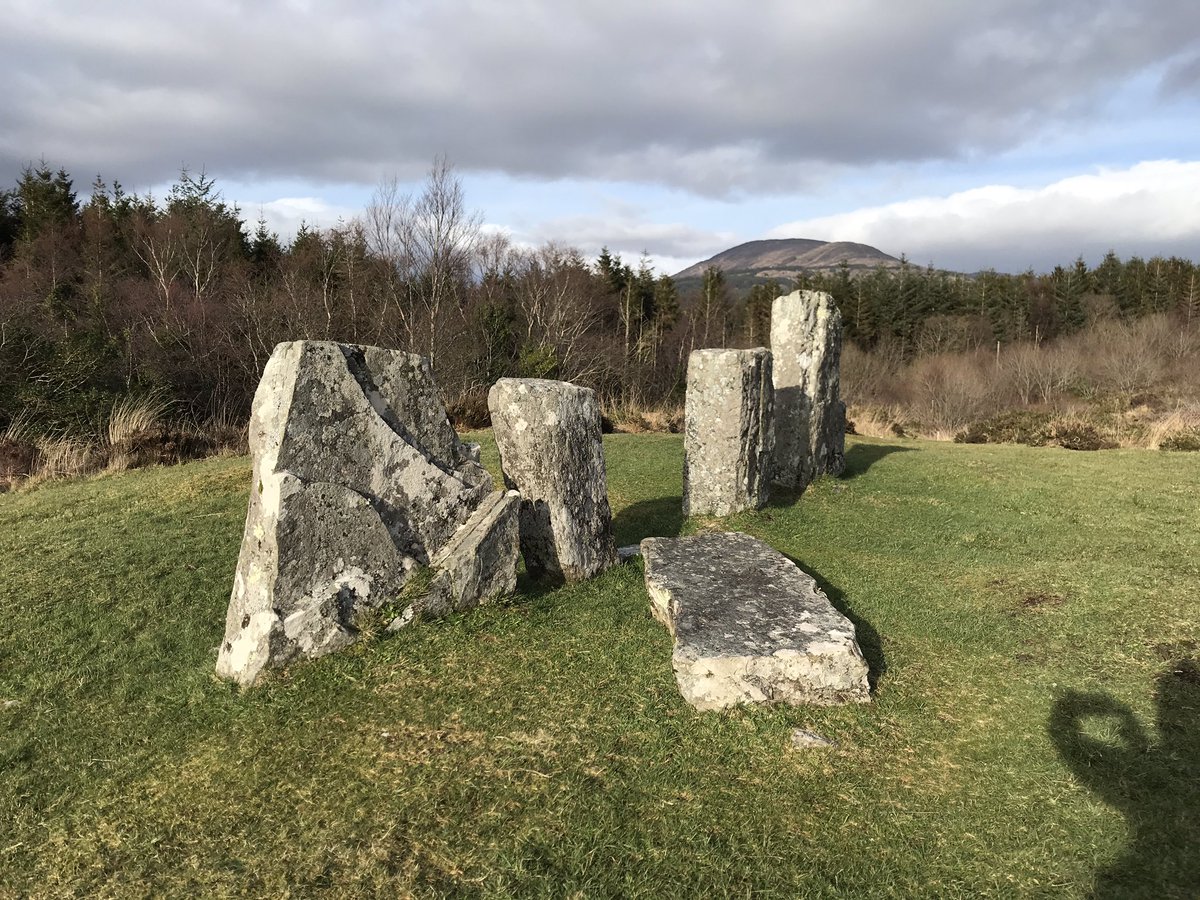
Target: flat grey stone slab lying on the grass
x=751 y=627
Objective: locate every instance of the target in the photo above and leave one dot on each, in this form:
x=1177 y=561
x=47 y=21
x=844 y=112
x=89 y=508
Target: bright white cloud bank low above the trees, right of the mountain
x=1147 y=209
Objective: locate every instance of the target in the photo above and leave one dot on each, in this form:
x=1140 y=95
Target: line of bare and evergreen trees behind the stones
x=123 y=295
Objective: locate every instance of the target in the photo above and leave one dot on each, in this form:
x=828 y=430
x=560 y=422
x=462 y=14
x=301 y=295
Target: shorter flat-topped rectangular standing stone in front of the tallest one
x=728 y=440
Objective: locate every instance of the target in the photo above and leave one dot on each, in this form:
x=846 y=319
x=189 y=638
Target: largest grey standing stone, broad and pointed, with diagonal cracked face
x=358 y=481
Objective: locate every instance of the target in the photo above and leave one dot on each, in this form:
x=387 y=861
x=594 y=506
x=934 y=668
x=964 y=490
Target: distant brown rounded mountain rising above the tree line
x=788 y=257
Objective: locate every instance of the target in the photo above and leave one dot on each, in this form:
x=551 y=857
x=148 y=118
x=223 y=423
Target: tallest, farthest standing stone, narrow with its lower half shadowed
x=811 y=418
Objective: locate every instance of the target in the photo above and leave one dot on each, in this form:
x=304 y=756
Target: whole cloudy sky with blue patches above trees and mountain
x=1007 y=135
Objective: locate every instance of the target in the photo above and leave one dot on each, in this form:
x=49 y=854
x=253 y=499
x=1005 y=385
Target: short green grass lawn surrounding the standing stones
x=1030 y=616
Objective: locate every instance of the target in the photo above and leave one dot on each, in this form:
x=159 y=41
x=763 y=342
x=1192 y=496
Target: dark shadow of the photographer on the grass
x=1155 y=785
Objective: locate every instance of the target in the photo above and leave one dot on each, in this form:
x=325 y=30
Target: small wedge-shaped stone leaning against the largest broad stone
x=477 y=567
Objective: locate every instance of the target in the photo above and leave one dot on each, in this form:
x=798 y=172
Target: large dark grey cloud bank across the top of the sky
x=719 y=99
